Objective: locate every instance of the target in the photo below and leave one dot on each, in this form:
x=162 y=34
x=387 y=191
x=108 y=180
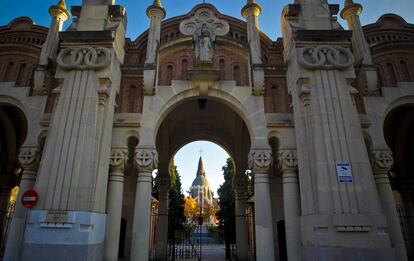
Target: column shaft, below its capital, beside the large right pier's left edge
x=291 y=204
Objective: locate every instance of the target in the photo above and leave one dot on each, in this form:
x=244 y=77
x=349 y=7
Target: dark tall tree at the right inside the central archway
x=226 y=213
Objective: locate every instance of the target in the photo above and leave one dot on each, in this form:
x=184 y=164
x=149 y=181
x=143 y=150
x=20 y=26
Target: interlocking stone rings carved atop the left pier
x=84 y=58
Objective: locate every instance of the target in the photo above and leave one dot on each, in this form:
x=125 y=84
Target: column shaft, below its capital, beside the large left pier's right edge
x=114 y=211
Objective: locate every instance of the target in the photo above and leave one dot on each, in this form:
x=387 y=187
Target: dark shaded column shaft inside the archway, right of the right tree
x=239 y=186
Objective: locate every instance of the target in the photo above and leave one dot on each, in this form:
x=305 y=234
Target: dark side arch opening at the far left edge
x=13 y=131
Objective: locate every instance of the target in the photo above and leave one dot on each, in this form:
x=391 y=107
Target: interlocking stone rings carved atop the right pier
x=325 y=58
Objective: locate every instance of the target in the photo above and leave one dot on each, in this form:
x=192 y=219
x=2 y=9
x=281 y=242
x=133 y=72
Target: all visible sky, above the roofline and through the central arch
x=214 y=157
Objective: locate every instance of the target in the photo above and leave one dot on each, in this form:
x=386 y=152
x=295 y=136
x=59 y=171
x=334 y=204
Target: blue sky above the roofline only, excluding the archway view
x=138 y=21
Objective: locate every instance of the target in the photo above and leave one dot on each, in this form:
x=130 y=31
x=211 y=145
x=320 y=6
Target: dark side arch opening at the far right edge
x=399 y=135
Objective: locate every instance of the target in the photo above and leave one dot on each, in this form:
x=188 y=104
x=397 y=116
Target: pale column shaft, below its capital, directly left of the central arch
x=142 y=216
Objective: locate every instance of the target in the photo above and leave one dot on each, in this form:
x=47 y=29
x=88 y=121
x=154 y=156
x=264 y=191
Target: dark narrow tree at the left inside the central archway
x=176 y=203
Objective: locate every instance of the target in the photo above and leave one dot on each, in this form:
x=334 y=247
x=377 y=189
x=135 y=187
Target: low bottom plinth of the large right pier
x=347 y=254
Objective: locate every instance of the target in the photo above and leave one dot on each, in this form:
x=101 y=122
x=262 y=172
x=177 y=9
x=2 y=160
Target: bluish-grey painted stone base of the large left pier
x=80 y=238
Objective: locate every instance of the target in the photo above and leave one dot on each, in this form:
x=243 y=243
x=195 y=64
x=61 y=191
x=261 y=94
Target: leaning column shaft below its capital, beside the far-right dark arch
x=388 y=204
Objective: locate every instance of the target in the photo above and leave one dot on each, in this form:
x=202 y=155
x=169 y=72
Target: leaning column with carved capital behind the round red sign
x=28 y=158
